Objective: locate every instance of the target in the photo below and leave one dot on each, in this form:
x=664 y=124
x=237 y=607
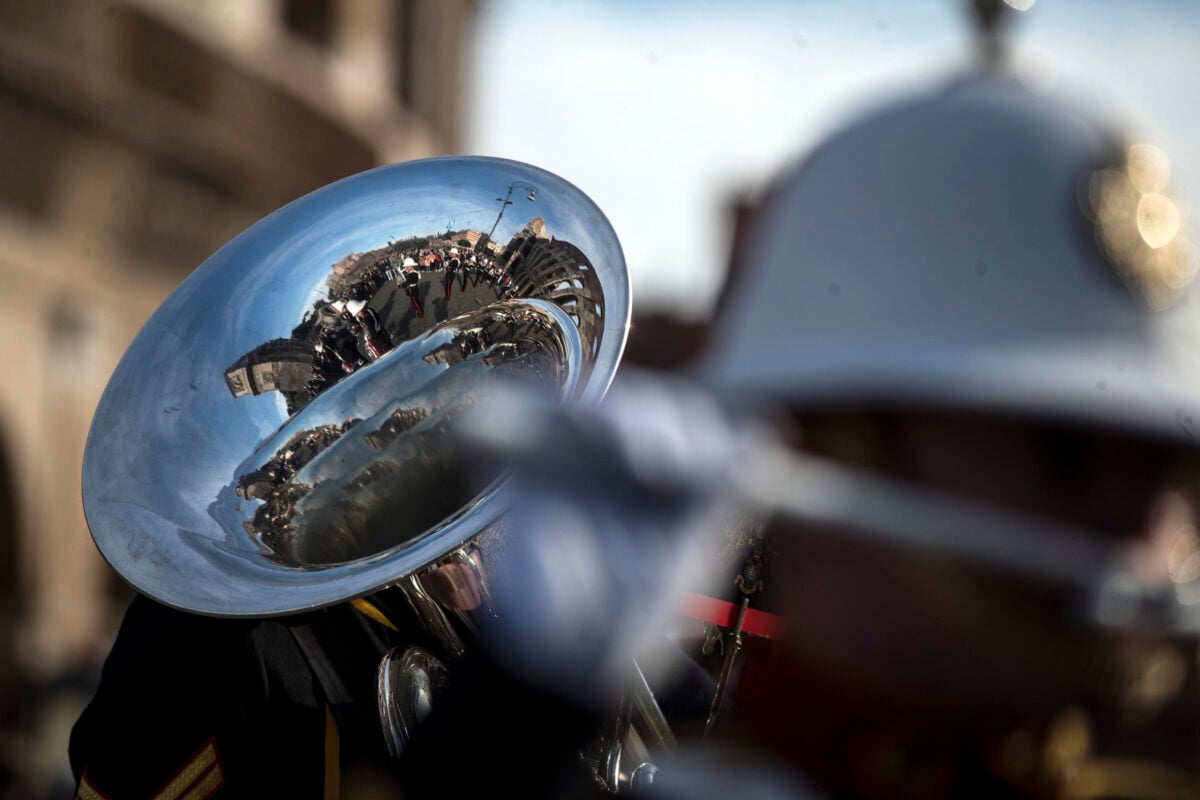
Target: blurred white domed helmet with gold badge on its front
x=977 y=248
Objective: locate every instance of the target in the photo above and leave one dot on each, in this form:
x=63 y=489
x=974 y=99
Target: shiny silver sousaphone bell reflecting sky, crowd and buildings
x=281 y=435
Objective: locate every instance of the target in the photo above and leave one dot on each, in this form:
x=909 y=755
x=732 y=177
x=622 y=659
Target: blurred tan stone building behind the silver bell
x=140 y=136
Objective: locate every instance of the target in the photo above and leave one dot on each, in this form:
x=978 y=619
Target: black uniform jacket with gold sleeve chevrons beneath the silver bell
x=193 y=707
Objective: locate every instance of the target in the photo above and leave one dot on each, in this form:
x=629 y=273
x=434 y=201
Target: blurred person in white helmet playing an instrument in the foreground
x=971 y=315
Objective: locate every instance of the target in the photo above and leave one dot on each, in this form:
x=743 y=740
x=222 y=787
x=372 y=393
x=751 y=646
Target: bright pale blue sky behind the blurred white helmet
x=663 y=111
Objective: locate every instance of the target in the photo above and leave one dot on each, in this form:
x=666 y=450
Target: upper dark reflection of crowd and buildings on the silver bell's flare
x=362 y=318
